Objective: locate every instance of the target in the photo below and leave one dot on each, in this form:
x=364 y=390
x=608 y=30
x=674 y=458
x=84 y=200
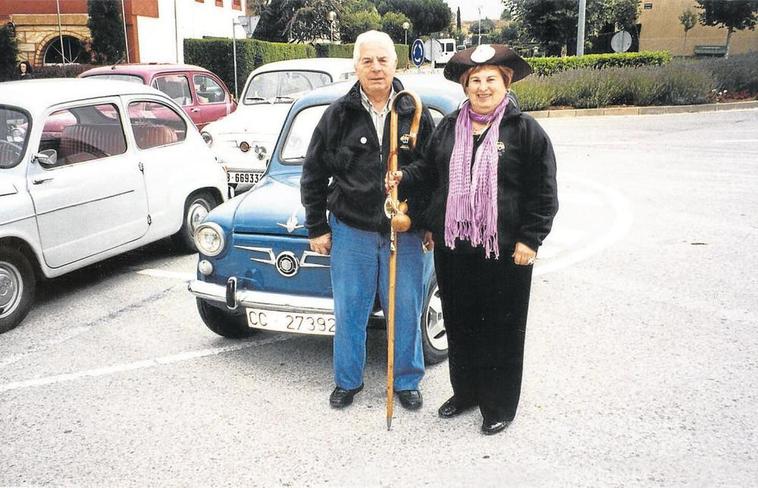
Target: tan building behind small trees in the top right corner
x=661 y=29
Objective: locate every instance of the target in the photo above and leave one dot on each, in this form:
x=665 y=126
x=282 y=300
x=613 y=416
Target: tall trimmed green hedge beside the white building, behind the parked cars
x=216 y=56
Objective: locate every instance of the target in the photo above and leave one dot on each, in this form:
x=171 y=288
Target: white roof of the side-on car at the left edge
x=34 y=95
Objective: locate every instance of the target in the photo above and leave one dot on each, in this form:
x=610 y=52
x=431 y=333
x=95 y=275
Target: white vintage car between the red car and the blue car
x=243 y=140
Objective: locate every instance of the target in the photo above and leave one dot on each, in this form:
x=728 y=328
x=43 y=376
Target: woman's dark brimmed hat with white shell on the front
x=492 y=54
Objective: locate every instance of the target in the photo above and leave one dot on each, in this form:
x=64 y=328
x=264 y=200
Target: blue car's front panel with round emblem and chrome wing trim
x=275 y=264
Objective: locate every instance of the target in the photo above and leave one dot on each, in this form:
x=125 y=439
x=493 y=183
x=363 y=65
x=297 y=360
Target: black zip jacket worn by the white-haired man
x=345 y=147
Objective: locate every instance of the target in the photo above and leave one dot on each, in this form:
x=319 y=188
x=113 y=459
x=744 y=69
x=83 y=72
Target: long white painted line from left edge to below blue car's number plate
x=147 y=363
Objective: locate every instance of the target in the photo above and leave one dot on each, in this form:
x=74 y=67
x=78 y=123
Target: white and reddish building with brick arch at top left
x=155 y=29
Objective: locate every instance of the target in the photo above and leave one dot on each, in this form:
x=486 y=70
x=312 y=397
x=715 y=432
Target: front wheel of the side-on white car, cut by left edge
x=17 y=286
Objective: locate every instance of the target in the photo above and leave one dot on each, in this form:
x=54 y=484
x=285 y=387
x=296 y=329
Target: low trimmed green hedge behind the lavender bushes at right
x=550 y=66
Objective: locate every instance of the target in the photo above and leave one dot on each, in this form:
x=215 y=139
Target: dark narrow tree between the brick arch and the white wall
x=107 y=28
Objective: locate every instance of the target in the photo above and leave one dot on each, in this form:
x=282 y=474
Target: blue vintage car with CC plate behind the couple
x=256 y=270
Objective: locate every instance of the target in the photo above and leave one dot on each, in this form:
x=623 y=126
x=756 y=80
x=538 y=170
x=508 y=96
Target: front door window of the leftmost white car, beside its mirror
x=84 y=133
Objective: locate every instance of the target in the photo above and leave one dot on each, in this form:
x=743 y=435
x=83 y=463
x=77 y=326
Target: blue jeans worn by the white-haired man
x=360 y=265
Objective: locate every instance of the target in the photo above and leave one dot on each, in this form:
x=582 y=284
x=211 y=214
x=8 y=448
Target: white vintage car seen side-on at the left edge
x=90 y=169
